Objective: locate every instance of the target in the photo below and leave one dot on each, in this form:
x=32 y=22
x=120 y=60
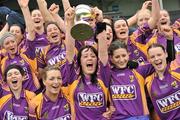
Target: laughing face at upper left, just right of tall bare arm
x=37 y=18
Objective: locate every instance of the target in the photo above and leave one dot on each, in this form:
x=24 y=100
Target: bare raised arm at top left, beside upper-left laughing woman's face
x=27 y=16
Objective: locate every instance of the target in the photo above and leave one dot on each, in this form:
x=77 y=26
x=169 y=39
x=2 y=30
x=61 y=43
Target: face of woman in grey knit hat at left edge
x=10 y=45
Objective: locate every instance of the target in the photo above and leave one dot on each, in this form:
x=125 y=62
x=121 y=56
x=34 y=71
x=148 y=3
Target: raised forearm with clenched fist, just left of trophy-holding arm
x=54 y=9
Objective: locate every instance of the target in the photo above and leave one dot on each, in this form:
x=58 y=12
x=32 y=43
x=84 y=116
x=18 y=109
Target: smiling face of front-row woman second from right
x=120 y=58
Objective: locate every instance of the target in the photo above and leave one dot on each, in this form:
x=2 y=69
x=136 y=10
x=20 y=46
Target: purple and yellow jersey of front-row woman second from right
x=127 y=91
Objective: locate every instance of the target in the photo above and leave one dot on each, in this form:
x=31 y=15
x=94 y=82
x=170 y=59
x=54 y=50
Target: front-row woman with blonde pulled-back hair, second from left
x=51 y=104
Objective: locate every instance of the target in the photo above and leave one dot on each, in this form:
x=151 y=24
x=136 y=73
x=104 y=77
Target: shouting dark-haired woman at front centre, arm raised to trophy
x=88 y=93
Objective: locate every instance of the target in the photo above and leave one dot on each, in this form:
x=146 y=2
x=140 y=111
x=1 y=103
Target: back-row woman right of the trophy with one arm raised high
x=136 y=41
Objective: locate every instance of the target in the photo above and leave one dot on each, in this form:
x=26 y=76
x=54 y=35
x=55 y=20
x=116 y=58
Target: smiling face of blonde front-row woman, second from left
x=53 y=82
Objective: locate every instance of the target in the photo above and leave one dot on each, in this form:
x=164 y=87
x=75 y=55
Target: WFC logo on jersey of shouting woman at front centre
x=91 y=100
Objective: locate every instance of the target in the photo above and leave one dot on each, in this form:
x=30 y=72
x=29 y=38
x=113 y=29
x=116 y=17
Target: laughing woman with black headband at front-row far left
x=15 y=104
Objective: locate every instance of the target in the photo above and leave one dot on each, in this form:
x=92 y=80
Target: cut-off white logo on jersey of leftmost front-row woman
x=10 y=116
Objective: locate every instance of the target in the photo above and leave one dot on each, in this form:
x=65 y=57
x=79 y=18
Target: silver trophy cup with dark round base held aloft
x=82 y=30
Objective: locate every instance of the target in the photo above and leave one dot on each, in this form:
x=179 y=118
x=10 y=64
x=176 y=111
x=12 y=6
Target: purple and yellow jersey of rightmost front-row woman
x=165 y=93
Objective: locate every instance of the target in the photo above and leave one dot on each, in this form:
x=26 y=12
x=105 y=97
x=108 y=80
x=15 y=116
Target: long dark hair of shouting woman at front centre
x=94 y=75
